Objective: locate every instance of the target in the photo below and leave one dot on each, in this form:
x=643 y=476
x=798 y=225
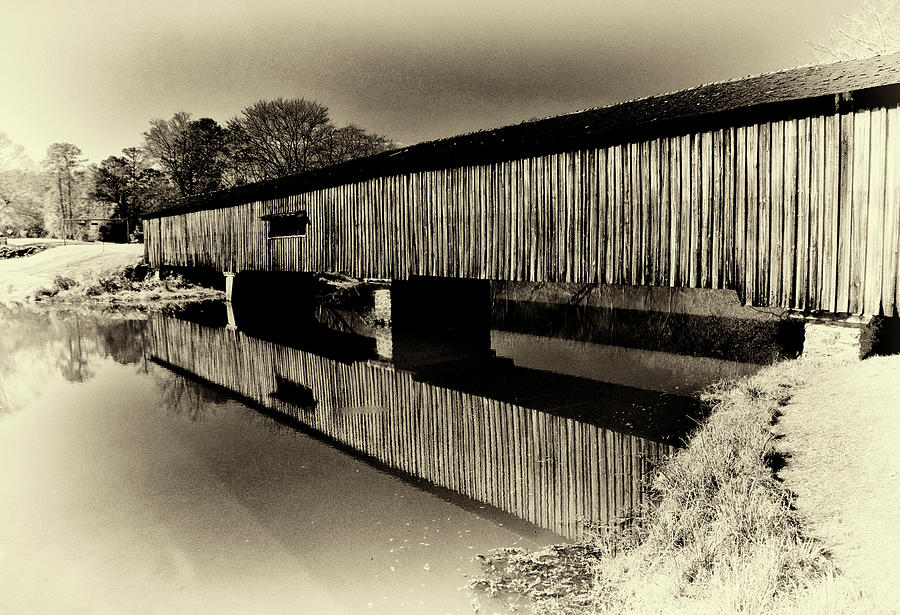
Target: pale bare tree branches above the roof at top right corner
x=874 y=29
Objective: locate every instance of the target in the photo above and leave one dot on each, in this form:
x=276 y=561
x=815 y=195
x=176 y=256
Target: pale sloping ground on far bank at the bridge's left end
x=20 y=278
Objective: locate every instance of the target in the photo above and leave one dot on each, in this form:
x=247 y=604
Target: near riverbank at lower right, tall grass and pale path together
x=728 y=534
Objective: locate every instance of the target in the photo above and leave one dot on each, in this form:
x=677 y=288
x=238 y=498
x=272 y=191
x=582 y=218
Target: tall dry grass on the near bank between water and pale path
x=725 y=535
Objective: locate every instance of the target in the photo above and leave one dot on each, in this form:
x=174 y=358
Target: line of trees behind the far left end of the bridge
x=179 y=157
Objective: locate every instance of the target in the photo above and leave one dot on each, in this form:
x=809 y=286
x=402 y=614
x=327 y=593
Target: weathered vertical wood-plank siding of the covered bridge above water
x=801 y=213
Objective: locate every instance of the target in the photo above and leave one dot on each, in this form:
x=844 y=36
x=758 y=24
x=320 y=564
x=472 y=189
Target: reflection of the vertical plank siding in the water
x=549 y=470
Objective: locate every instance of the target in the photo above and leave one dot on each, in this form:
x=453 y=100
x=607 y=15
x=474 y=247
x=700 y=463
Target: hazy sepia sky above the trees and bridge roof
x=95 y=72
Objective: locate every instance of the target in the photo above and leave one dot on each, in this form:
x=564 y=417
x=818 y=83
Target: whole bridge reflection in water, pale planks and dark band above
x=554 y=450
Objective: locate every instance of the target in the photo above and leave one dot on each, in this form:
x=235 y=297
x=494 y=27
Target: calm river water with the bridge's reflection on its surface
x=182 y=465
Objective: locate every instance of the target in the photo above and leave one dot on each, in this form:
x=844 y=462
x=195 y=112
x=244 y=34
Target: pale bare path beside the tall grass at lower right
x=845 y=468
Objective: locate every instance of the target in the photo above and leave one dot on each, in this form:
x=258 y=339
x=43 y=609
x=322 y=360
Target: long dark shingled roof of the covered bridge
x=797 y=92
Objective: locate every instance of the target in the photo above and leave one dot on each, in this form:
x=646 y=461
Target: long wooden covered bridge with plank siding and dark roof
x=784 y=187
